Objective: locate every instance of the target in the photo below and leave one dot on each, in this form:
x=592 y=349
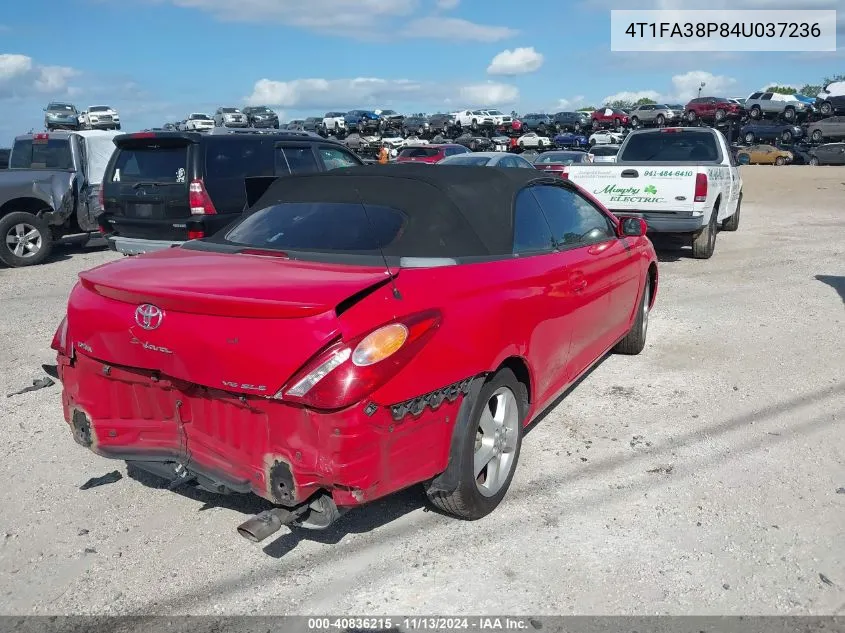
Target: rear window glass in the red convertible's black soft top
x=319 y=227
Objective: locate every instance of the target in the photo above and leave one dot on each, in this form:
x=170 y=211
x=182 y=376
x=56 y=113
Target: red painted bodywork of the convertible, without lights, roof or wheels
x=240 y=326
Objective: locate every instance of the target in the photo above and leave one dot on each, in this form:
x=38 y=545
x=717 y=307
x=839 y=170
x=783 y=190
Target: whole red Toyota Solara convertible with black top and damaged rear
x=354 y=333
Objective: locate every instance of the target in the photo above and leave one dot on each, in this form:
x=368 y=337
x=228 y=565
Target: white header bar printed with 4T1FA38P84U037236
x=706 y=30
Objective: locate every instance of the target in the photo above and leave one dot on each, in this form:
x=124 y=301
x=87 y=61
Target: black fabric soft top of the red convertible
x=451 y=210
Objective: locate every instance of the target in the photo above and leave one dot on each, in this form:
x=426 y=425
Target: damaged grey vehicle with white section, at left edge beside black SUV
x=51 y=190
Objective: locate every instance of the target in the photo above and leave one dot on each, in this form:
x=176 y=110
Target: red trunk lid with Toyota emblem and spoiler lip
x=244 y=323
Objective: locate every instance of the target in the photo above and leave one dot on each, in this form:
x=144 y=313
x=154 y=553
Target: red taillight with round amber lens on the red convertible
x=346 y=372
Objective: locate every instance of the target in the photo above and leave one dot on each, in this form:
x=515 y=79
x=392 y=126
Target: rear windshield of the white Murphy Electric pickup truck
x=671 y=146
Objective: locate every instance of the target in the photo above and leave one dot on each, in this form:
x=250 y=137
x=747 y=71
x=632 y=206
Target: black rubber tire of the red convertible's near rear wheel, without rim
x=466 y=501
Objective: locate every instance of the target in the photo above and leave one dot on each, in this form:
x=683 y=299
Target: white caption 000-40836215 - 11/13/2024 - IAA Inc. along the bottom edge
x=482 y=624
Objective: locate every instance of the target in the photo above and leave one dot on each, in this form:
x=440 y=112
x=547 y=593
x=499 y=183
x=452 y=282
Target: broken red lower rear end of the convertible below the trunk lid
x=236 y=443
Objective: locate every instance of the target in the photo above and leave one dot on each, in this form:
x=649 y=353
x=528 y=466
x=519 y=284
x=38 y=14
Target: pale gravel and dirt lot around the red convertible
x=700 y=477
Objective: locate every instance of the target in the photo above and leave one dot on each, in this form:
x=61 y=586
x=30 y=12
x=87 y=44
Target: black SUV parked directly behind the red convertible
x=163 y=188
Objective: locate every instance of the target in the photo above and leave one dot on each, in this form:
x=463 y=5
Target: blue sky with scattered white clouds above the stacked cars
x=158 y=60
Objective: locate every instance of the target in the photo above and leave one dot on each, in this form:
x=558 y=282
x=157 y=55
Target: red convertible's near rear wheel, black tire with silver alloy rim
x=467 y=501
